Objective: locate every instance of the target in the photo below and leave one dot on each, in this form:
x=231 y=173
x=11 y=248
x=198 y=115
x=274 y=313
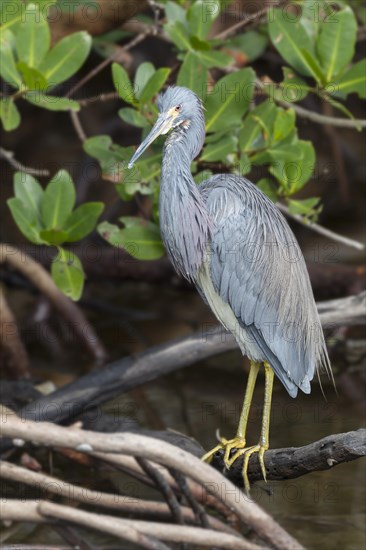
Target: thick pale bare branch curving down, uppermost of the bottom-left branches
x=163 y=453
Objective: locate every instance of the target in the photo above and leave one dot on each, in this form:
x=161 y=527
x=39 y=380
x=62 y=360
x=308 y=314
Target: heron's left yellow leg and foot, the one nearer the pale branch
x=239 y=441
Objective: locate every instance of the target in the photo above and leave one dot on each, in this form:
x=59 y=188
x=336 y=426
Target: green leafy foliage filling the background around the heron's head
x=51 y=55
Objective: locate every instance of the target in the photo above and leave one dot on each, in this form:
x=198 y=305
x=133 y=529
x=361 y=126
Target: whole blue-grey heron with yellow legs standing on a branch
x=233 y=243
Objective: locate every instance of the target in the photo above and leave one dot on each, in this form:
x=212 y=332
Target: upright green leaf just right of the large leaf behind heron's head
x=257 y=127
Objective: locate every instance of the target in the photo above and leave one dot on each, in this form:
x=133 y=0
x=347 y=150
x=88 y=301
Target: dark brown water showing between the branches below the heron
x=323 y=509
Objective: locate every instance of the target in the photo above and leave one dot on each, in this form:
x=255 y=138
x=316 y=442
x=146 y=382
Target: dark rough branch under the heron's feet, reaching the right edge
x=295 y=462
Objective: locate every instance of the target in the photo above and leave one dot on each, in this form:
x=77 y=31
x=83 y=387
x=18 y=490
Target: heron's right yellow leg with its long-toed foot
x=264 y=438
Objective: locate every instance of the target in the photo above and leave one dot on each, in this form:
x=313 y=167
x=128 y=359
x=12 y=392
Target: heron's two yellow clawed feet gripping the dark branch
x=246 y=452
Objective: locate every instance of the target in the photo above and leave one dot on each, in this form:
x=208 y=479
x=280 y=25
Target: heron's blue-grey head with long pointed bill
x=178 y=107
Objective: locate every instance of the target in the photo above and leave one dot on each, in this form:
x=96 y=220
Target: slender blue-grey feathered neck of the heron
x=184 y=222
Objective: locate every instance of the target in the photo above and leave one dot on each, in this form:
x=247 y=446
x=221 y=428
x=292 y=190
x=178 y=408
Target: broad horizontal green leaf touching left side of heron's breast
x=143 y=243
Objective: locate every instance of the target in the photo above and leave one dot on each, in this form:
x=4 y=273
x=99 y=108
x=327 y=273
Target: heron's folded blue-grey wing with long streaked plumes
x=258 y=269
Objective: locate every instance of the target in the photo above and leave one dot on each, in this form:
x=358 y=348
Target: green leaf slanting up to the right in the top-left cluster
x=66 y=57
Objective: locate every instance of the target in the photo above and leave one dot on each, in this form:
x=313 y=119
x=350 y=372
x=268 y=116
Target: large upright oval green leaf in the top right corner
x=336 y=42
